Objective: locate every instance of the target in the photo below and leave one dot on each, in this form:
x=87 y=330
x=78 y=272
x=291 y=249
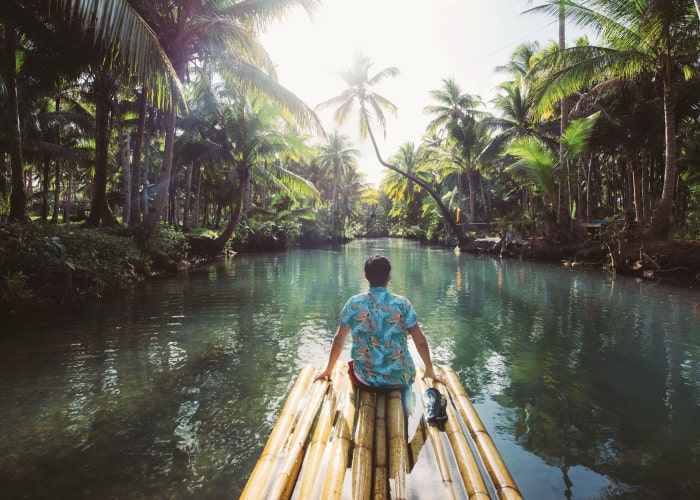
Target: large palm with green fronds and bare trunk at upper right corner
x=645 y=39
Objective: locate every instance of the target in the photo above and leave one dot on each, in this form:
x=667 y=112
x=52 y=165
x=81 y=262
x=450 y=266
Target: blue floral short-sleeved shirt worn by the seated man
x=379 y=320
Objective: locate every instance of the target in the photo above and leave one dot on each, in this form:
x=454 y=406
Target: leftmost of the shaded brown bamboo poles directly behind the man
x=362 y=453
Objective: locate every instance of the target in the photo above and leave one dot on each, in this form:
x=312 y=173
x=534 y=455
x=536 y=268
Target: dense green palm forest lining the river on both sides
x=150 y=120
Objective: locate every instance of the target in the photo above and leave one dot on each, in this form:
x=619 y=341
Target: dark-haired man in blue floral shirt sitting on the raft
x=380 y=322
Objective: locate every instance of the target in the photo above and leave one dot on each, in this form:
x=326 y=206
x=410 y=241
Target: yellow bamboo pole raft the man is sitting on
x=333 y=440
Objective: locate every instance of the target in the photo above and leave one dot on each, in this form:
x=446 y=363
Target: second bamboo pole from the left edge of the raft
x=287 y=476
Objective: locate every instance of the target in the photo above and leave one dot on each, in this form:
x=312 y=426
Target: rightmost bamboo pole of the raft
x=496 y=468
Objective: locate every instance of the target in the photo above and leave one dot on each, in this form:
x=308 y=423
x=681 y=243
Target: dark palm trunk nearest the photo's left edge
x=18 y=200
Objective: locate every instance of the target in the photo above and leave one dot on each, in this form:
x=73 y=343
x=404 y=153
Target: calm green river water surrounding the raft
x=588 y=384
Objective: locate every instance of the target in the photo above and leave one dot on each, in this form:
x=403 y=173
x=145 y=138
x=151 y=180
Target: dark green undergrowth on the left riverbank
x=42 y=265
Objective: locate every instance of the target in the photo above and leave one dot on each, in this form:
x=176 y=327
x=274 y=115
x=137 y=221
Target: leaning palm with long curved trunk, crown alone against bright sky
x=372 y=107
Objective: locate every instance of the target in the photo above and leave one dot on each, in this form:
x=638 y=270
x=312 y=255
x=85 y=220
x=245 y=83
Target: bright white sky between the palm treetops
x=427 y=40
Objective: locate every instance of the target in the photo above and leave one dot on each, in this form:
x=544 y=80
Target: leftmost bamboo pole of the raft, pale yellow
x=260 y=479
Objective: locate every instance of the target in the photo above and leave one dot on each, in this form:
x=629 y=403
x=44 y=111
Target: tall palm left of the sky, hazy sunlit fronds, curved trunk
x=193 y=32
